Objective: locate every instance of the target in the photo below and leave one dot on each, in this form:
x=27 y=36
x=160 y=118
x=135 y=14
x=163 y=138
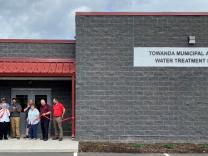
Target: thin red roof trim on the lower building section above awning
x=37 y=41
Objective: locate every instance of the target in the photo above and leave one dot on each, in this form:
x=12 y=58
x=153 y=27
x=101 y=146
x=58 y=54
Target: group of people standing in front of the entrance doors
x=10 y=119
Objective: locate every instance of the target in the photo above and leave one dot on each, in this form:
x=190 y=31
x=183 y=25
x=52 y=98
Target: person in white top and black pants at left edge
x=4 y=121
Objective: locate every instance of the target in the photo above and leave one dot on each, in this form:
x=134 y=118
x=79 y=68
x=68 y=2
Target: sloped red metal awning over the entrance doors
x=37 y=67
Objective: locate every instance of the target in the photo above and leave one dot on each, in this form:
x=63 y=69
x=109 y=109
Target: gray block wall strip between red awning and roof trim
x=39 y=50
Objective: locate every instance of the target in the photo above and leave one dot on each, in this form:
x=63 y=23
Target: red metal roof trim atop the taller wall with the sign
x=141 y=13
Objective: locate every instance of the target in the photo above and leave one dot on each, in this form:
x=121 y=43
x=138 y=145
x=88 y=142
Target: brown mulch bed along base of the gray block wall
x=142 y=148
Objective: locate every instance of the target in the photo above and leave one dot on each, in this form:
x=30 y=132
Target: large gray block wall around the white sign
x=118 y=102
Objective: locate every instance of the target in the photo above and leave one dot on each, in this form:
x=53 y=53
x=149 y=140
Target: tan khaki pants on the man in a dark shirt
x=15 y=127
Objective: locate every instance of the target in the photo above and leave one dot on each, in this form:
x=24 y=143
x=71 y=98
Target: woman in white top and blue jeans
x=33 y=121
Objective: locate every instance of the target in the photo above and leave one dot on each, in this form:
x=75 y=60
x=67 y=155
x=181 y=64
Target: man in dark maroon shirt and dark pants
x=44 y=118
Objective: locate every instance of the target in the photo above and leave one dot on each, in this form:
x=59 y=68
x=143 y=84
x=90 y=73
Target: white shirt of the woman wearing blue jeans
x=32 y=115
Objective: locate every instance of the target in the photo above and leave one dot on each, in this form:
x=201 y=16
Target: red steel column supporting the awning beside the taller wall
x=73 y=106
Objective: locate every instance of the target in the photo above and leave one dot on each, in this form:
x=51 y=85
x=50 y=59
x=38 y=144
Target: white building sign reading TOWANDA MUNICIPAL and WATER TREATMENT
x=170 y=57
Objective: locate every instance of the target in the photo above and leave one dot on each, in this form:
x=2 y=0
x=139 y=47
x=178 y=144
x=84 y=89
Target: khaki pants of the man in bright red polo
x=58 y=127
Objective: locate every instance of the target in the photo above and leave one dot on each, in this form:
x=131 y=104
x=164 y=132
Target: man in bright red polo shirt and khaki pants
x=58 y=114
